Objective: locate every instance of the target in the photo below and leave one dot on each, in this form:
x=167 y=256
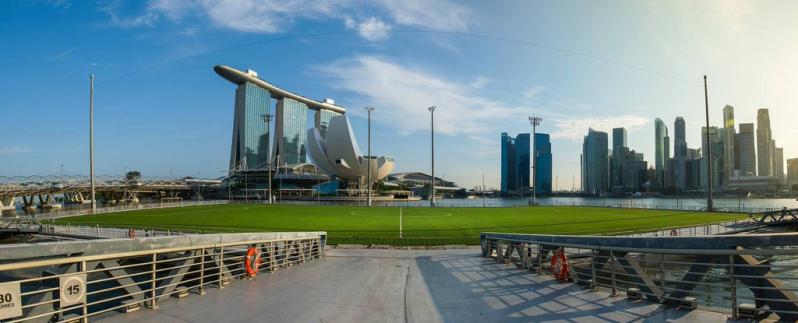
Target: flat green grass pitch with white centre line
x=421 y=226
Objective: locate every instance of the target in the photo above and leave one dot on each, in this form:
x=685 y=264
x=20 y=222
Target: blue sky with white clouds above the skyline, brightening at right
x=161 y=109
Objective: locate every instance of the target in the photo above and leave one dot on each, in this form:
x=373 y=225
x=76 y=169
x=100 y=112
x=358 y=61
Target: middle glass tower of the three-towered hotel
x=291 y=126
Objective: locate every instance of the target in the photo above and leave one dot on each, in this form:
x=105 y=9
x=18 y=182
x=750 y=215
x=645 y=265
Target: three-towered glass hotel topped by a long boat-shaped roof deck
x=253 y=102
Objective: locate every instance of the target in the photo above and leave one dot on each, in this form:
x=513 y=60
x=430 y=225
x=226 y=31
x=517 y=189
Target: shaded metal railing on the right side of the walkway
x=744 y=275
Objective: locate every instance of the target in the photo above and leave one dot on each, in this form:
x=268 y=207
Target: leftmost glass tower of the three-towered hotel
x=250 y=131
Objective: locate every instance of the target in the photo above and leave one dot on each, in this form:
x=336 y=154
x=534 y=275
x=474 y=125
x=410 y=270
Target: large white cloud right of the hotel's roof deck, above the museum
x=402 y=95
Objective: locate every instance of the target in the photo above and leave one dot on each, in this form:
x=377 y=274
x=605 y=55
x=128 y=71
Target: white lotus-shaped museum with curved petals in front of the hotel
x=337 y=153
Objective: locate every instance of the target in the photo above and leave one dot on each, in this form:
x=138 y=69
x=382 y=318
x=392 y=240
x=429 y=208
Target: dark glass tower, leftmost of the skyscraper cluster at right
x=594 y=163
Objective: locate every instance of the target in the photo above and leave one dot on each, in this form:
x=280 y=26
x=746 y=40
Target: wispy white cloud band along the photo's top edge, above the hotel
x=274 y=16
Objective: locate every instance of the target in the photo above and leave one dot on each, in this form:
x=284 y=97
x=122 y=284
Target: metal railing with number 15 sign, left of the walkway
x=156 y=268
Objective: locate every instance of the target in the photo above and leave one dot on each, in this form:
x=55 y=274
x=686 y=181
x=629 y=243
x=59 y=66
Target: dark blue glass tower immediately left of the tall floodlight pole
x=515 y=166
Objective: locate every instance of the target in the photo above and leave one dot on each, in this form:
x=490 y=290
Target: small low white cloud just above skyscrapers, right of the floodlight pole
x=575 y=128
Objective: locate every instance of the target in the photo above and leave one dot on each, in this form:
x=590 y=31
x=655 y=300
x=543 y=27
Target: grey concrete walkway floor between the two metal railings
x=367 y=285
